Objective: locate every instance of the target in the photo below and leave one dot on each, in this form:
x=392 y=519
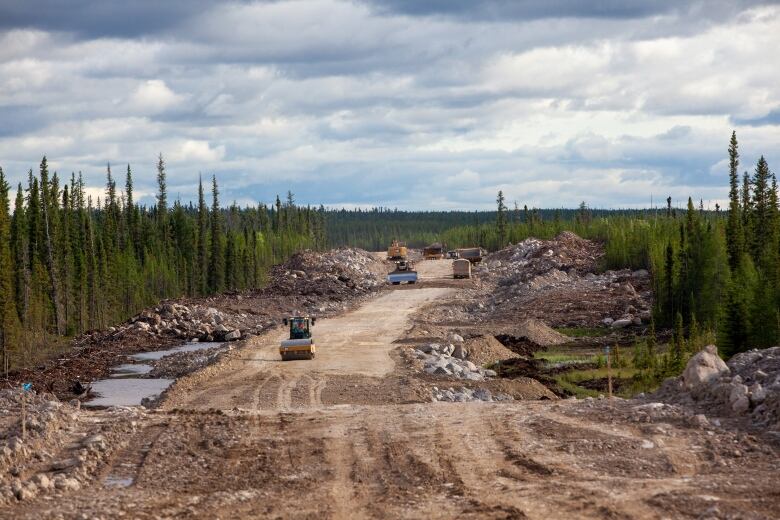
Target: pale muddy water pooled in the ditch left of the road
x=127 y=386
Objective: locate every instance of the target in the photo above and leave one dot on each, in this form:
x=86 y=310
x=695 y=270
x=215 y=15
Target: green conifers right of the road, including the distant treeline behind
x=713 y=271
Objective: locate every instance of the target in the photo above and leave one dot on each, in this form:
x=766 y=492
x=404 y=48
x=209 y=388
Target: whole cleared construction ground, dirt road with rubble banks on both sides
x=401 y=413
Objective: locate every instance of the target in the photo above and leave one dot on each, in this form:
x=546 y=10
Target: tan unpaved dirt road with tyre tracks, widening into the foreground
x=350 y=435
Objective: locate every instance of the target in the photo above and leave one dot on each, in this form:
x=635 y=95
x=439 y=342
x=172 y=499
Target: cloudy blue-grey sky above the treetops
x=395 y=103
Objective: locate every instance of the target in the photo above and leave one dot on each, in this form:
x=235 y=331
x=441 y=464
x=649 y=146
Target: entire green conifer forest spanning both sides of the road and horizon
x=69 y=263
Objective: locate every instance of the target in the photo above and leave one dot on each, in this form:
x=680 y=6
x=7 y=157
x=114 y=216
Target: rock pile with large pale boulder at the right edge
x=747 y=388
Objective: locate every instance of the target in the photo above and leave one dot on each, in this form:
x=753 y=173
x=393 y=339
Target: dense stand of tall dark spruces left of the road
x=70 y=264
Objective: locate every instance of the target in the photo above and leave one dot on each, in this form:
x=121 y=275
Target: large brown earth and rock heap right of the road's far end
x=558 y=281
